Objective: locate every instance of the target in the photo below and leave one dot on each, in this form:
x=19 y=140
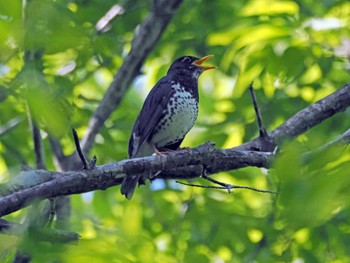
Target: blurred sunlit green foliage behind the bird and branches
x=55 y=63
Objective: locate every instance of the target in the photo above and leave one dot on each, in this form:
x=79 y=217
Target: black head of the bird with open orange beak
x=190 y=66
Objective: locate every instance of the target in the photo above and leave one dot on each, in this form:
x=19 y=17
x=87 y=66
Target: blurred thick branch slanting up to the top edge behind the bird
x=146 y=37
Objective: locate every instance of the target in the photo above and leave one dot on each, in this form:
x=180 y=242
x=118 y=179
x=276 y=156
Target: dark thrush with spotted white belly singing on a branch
x=167 y=115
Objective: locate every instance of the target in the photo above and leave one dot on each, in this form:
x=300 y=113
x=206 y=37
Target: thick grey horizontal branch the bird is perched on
x=108 y=175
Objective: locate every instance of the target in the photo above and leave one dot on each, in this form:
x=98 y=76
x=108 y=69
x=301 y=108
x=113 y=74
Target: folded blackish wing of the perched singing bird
x=150 y=115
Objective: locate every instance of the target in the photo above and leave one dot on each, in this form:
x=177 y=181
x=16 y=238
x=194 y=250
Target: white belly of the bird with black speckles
x=184 y=111
